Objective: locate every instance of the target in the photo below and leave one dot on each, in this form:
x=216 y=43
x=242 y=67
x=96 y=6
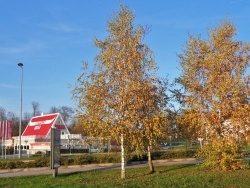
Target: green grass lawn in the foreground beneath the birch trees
x=165 y=176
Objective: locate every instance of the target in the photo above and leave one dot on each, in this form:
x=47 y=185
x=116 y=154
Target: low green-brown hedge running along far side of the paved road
x=94 y=159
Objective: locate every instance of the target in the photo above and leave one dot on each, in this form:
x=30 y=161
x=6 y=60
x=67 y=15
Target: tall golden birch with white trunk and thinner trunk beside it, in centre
x=122 y=98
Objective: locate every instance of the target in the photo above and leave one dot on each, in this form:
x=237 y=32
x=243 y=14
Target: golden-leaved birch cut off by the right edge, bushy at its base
x=216 y=96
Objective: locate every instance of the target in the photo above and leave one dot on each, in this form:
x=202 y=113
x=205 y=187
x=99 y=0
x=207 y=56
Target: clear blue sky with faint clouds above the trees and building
x=53 y=38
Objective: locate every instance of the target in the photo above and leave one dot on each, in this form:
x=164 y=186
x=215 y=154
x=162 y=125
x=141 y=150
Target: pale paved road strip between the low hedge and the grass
x=84 y=168
